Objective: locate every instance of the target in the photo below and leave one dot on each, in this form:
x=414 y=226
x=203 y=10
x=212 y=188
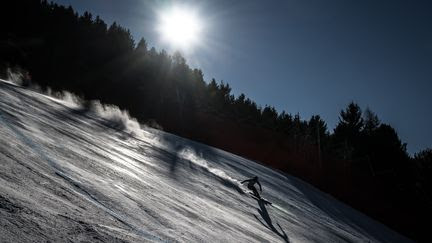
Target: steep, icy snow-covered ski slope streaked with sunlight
x=67 y=175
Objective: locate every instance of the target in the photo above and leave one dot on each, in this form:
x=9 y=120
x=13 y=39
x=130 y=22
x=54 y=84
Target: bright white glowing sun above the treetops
x=180 y=27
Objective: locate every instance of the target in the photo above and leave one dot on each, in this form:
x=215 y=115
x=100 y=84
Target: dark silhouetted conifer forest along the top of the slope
x=362 y=162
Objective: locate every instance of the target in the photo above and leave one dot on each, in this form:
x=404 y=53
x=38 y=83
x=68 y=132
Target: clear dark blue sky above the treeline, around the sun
x=307 y=56
